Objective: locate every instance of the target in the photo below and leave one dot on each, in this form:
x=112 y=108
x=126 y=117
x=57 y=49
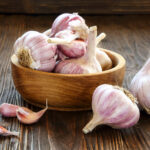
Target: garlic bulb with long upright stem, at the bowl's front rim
x=85 y=64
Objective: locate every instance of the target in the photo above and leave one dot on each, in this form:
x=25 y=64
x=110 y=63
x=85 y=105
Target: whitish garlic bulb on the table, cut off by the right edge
x=140 y=86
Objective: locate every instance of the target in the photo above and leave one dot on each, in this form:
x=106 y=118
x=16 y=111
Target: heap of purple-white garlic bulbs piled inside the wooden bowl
x=69 y=47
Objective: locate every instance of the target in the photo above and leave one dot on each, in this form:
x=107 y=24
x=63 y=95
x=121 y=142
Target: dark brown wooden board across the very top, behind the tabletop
x=82 y=6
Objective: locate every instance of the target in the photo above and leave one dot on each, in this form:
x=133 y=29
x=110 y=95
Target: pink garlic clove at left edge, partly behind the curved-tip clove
x=8 y=110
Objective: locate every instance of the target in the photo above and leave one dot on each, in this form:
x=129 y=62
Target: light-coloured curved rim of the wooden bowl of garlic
x=121 y=63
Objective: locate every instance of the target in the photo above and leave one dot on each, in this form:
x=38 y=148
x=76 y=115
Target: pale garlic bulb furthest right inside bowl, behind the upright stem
x=103 y=59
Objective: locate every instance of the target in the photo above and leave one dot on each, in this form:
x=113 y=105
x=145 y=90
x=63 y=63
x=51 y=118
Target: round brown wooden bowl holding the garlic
x=67 y=92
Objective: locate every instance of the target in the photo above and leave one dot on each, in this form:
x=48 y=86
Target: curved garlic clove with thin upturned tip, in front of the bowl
x=27 y=116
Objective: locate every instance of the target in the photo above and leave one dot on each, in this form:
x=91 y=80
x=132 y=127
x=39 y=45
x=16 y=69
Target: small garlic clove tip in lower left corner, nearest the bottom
x=5 y=132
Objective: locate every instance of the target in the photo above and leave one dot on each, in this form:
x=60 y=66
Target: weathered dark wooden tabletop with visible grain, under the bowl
x=128 y=35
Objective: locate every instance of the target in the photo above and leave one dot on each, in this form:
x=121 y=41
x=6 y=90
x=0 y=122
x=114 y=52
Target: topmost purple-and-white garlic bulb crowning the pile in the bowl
x=72 y=22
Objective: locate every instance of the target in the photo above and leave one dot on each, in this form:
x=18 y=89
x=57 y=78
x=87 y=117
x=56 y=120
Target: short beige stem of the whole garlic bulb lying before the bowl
x=91 y=125
